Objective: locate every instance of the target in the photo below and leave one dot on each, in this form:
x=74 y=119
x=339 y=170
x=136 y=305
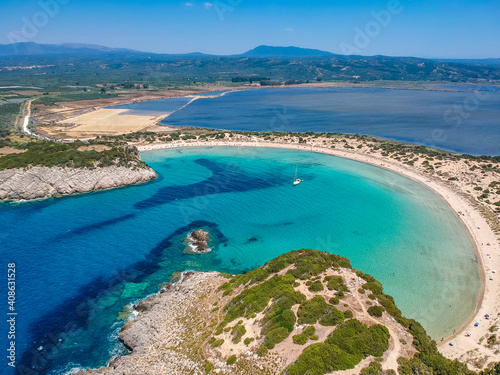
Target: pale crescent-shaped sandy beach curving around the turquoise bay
x=472 y=349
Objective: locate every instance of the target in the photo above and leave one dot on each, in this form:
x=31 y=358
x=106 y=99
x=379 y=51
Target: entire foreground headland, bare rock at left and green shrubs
x=303 y=311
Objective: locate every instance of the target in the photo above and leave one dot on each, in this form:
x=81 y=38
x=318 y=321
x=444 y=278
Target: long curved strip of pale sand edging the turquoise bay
x=484 y=240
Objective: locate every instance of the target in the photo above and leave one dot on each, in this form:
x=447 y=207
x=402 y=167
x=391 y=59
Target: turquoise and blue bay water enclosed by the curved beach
x=80 y=260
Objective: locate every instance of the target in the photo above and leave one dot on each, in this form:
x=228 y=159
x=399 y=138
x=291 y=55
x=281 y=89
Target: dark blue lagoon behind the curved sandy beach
x=462 y=120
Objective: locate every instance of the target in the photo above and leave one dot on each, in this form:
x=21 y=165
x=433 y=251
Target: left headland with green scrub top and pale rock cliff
x=47 y=169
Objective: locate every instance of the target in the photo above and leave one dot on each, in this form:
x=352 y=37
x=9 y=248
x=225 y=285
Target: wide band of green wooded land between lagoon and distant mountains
x=53 y=71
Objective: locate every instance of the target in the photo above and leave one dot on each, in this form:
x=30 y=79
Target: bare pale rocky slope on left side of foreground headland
x=162 y=336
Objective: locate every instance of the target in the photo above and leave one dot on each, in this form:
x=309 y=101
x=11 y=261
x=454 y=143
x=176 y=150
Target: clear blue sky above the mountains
x=424 y=28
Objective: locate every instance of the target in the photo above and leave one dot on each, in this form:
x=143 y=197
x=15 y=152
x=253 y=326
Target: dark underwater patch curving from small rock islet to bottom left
x=41 y=357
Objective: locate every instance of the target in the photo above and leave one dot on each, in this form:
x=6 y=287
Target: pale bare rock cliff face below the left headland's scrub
x=44 y=182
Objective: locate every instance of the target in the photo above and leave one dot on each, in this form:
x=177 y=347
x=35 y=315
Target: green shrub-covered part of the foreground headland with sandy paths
x=332 y=317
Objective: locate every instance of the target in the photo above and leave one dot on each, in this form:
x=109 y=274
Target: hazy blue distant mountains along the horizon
x=35 y=49
